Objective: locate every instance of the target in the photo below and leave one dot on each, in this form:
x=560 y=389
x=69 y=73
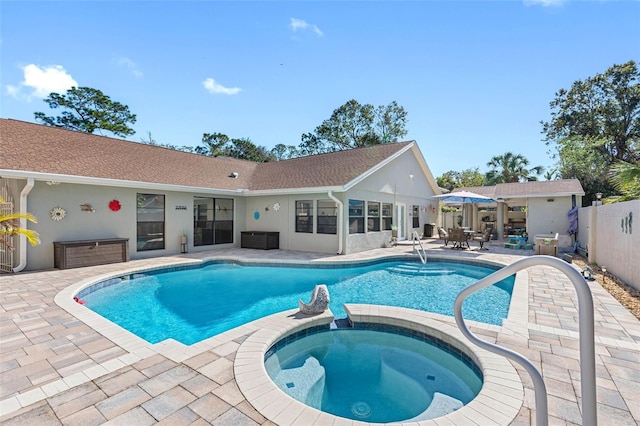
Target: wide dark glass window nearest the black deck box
x=212 y=221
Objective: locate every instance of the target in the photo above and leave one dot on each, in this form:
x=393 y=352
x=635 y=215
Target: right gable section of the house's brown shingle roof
x=333 y=169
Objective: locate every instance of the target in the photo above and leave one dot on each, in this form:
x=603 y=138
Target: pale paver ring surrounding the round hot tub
x=498 y=403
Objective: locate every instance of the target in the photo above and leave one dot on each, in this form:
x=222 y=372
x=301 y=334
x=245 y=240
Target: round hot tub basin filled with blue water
x=374 y=375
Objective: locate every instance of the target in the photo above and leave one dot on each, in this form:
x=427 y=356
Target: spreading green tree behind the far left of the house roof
x=88 y=110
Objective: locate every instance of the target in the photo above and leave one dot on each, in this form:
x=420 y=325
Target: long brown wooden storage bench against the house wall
x=76 y=254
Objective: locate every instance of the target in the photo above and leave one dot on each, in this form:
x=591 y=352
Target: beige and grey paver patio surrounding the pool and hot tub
x=55 y=369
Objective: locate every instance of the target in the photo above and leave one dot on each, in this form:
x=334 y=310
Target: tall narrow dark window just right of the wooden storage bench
x=150 y=222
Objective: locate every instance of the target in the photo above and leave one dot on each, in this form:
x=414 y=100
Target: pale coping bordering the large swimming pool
x=178 y=352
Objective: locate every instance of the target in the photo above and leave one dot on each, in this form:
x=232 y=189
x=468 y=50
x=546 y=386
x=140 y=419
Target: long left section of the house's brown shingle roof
x=37 y=148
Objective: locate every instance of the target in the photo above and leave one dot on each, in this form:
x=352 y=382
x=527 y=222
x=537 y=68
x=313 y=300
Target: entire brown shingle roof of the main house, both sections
x=50 y=151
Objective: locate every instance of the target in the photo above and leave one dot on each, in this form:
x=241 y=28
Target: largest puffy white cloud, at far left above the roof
x=42 y=81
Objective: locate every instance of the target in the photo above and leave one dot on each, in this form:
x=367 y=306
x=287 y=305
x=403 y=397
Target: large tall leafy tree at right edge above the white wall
x=595 y=124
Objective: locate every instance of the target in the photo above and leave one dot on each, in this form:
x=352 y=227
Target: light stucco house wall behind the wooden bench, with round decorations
x=104 y=223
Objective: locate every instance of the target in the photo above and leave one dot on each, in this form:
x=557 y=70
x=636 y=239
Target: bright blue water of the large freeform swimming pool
x=194 y=304
